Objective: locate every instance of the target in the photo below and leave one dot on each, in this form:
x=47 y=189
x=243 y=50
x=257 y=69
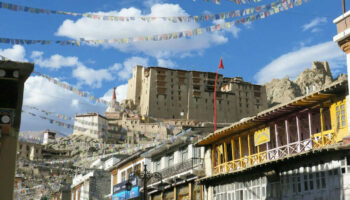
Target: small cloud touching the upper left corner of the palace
x=129 y=64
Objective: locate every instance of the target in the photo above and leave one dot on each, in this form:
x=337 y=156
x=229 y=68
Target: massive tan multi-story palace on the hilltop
x=179 y=94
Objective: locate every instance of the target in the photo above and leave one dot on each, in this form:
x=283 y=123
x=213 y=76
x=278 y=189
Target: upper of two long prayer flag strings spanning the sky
x=175 y=19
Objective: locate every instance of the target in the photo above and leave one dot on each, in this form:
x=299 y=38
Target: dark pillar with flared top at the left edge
x=12 y=78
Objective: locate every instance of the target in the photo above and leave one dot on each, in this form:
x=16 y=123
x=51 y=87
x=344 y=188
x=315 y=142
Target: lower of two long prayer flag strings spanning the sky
x=271 y=10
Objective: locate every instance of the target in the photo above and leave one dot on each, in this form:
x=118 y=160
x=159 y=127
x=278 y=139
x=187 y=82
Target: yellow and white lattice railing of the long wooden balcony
x=318 y=140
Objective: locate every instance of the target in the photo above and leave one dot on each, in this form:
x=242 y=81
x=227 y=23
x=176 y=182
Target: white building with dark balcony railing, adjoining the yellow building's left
x=179 y=164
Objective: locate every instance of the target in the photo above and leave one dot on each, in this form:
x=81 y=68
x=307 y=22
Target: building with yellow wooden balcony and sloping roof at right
x=298 y=150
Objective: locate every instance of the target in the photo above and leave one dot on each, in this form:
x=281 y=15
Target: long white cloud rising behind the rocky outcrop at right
x=293 y=63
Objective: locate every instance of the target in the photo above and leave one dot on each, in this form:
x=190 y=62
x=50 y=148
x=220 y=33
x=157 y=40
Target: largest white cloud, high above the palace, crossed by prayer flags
x=91 y=29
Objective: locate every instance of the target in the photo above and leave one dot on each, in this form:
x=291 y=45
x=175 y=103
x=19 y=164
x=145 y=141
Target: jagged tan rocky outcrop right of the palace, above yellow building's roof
x=284 y=90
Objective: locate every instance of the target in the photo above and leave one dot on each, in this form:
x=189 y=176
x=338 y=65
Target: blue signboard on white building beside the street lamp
x=120 y=192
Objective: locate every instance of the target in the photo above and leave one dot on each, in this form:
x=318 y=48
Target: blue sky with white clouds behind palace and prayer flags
x=278 y=46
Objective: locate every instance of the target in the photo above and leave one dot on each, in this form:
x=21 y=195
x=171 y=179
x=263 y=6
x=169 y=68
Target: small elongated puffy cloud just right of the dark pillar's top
x=55 y=61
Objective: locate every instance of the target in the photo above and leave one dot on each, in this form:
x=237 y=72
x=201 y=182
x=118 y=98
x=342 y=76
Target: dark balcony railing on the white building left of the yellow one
x=189 y=164
